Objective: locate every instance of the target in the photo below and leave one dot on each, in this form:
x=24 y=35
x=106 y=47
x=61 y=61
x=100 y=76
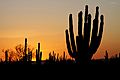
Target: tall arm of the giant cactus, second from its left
x=72 y=34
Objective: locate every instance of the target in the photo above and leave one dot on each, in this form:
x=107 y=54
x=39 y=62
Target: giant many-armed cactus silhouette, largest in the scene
x=85 y=47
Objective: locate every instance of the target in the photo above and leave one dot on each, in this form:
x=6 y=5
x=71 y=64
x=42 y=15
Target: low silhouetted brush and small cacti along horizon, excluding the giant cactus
x=18 y=57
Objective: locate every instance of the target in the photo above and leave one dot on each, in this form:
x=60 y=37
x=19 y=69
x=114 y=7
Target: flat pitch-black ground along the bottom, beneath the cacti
x=76 y=71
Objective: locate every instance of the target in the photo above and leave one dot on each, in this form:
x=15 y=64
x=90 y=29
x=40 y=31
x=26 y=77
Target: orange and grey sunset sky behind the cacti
x=45 y=21
